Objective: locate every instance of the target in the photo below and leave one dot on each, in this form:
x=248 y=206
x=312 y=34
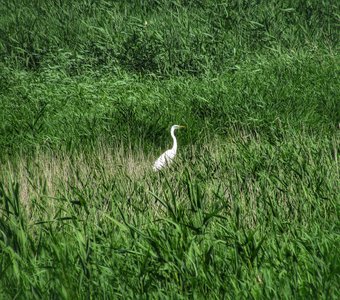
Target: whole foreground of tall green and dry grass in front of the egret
x=243 y=218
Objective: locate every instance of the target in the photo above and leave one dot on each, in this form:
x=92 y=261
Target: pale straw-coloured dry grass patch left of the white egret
x=46 y=172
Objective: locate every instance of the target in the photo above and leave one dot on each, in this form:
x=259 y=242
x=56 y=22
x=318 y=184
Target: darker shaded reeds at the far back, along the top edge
x=165 y=38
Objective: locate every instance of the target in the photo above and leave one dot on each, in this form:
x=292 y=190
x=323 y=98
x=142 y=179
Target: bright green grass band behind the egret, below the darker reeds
x=51 y=109
